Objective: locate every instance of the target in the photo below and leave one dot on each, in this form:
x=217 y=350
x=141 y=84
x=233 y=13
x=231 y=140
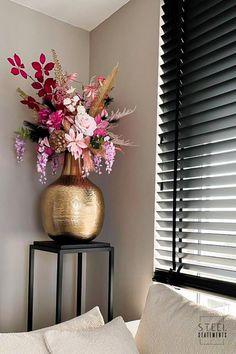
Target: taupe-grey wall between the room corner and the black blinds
x=129 y=37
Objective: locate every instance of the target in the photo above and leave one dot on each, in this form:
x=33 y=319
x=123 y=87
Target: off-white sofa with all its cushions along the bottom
x=170 y=324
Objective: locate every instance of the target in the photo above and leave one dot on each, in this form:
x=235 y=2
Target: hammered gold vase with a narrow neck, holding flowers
x=72 y=207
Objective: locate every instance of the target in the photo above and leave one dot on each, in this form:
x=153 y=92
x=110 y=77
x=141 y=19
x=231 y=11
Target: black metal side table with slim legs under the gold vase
x=60 y=250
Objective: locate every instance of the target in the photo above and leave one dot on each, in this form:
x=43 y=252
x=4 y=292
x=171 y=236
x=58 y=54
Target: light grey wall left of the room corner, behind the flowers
x=28 y=33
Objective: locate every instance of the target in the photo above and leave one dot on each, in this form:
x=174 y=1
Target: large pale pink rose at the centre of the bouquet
x=84 y=122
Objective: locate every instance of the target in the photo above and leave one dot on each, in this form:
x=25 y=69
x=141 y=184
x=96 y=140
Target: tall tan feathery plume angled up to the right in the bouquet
x=104 y=91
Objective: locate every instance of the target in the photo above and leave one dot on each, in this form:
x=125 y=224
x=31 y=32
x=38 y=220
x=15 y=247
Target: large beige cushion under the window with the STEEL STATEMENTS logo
x=171 y=324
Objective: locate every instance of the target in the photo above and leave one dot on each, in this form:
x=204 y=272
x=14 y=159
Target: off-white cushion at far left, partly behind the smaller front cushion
x=33 y=342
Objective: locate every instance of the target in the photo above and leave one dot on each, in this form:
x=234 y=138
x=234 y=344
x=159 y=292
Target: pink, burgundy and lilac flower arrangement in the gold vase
x=68 y=120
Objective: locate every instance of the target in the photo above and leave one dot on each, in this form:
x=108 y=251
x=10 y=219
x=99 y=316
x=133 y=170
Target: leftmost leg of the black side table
x=30 y=289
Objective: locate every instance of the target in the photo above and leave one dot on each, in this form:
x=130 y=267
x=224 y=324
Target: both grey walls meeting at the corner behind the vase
x=129 y=37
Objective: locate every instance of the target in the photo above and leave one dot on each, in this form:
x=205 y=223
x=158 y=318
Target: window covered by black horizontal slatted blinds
x=195 y=241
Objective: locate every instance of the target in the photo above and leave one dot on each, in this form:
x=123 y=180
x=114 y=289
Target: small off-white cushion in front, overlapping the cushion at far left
x=113 y=338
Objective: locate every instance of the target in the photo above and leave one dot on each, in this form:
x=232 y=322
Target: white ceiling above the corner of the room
x=86 y=14
